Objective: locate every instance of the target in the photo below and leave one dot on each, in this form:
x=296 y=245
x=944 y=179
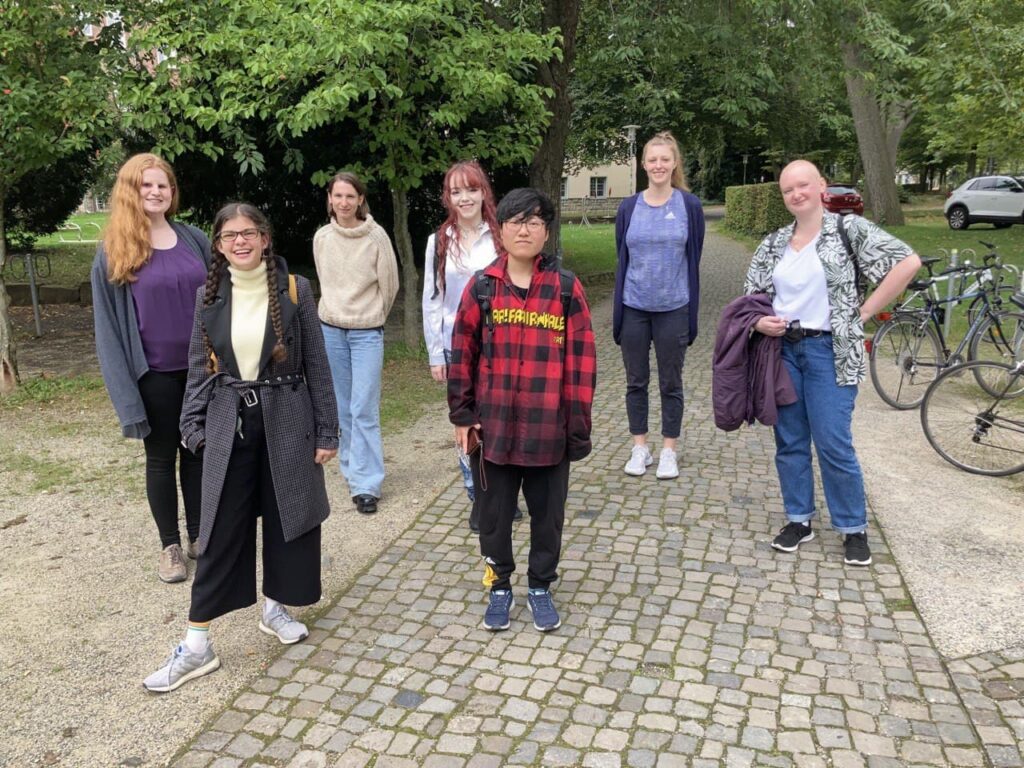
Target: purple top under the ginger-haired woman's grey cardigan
x=165 y=305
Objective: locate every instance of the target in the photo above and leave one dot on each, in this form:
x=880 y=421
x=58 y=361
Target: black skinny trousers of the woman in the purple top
x=163 y=393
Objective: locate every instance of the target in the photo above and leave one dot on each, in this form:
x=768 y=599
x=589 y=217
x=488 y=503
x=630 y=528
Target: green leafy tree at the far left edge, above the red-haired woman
x=56 y=65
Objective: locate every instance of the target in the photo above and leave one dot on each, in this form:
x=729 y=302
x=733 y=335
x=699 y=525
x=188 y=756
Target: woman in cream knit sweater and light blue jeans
x=359 y=277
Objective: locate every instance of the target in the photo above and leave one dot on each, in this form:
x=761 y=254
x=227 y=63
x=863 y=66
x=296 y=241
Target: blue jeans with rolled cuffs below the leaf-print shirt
x=823 y=413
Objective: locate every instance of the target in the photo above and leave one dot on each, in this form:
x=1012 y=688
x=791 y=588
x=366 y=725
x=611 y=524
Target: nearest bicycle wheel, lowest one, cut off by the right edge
x=971 y=429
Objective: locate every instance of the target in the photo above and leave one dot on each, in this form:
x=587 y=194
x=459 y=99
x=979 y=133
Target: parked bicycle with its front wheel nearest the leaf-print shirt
x=910 y=350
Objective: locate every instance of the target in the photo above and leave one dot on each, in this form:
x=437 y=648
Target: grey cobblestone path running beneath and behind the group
x=687 y=641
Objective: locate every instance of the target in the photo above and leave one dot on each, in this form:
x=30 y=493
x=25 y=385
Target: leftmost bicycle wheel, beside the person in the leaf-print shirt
x=906 y=359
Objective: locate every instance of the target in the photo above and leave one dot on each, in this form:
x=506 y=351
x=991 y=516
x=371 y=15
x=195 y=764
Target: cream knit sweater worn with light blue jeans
x=359 y=275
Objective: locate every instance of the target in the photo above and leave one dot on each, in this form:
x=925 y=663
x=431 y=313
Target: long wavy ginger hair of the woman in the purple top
x=127 y=237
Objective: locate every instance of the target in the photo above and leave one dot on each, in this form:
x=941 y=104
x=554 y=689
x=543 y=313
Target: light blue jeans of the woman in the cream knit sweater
x=357 y=359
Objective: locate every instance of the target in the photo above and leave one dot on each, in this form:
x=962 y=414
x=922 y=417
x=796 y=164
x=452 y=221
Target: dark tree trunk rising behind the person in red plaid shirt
x=546 y=168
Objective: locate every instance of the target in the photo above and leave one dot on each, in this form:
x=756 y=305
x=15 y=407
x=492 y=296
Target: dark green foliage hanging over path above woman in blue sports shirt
x=726 y=78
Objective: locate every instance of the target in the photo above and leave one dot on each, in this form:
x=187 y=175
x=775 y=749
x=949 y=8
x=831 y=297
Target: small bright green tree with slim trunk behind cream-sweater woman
x=420 y=83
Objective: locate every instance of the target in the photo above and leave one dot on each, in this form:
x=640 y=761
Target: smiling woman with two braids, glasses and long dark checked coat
x=260 y=407
